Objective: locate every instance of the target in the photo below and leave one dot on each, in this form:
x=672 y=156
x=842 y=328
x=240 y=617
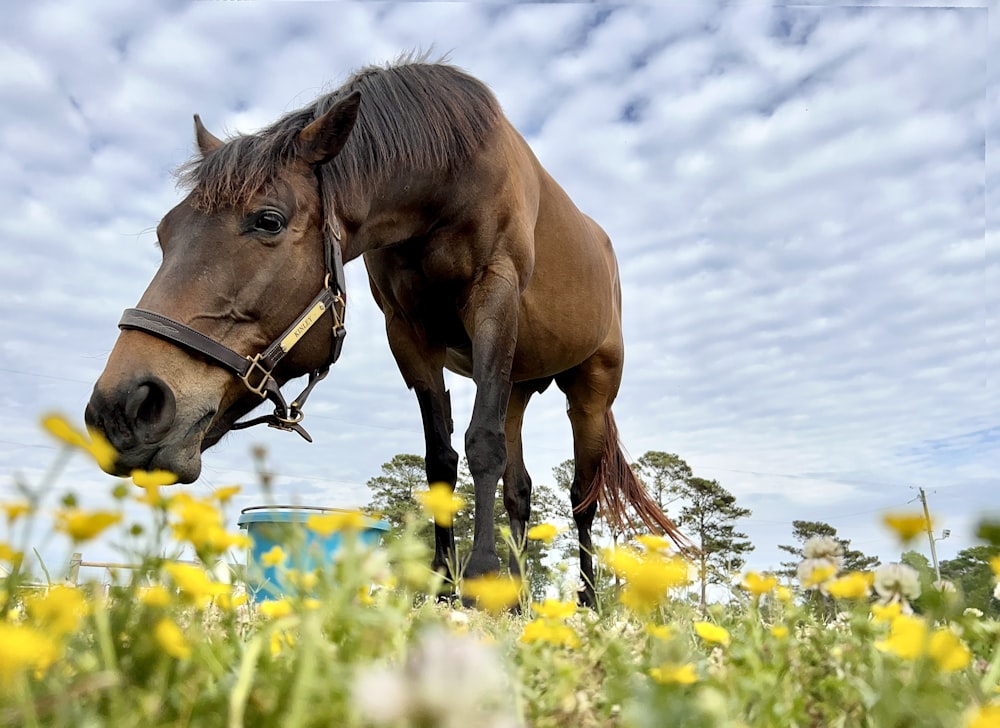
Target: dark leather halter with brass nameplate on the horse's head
x=257 y=372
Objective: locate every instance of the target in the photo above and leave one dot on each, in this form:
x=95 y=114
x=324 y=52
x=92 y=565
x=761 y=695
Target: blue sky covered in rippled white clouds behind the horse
x=798 y=197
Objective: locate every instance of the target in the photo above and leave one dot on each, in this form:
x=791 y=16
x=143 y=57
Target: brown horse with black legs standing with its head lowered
x=477 y=257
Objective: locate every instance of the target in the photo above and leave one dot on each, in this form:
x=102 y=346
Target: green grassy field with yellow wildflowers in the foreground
x=358 y=644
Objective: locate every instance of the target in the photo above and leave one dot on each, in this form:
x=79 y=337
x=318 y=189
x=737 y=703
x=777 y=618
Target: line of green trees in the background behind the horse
x=706 y=511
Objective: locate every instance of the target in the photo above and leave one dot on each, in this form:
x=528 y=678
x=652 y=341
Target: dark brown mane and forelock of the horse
x=414 y=116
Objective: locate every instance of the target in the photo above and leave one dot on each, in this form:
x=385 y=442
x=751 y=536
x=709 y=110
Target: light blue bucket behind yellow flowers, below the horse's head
x=285 y=526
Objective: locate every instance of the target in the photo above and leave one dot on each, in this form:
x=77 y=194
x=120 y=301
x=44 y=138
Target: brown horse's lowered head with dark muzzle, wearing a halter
x=242 y=259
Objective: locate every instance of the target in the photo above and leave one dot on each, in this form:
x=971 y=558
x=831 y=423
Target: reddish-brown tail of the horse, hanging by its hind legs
x=624 y=502
